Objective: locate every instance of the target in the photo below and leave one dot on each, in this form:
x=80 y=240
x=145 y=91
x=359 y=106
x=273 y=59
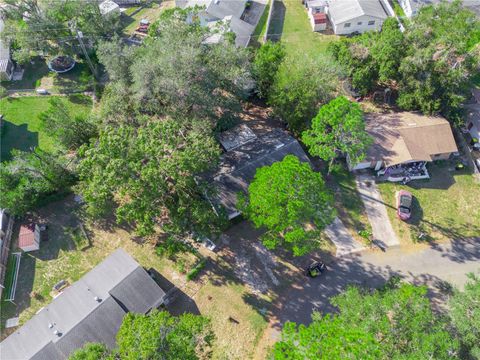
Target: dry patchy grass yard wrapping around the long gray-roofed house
x=67 y=255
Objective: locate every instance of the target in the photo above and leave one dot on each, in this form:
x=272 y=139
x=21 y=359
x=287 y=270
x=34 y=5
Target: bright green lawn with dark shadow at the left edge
x=21 y=127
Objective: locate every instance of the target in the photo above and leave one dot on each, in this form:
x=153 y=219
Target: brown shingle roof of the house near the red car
x=407 y=136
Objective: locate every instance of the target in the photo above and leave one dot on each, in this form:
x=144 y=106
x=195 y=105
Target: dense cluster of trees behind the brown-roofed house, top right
x=429 y=65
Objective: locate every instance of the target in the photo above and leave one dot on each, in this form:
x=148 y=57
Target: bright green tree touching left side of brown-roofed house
x=338 y=129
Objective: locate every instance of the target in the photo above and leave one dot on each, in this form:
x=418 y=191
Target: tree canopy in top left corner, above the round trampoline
x=44 y=28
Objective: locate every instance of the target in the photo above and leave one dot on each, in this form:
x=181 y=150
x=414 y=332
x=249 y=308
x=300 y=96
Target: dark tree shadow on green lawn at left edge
x=16 y=137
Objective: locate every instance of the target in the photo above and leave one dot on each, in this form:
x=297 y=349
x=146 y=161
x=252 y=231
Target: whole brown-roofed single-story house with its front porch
x=404 y=138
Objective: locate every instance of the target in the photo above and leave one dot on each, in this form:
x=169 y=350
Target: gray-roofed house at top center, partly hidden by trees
x=242 y=16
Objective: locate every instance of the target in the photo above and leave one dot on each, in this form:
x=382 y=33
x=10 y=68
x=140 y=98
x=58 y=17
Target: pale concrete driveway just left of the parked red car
x=376 y=211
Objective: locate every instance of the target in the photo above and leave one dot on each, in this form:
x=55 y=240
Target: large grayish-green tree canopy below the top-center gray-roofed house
x=175 y=73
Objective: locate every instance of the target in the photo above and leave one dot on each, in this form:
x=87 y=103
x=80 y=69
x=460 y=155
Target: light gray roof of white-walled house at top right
x=340 y=11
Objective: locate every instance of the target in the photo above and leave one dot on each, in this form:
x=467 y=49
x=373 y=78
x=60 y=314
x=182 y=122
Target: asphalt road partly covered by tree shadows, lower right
x=432 y=266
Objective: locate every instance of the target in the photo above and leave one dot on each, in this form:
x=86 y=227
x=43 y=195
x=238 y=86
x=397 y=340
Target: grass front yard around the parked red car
x=445 y=207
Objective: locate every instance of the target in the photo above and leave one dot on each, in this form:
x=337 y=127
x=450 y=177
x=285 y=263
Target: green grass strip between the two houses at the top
x=290 y=22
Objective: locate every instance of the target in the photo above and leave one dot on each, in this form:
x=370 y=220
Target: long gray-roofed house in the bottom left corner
x=90 y=310
